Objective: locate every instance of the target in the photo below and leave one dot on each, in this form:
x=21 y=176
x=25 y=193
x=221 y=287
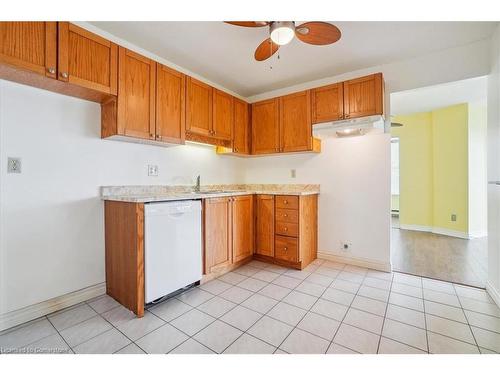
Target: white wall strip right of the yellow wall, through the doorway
x=478 y=176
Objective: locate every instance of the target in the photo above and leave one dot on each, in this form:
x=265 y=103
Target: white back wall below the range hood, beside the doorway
x=354 y=204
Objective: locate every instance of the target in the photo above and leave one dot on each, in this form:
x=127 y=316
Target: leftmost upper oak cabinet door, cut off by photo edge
x=30 y=46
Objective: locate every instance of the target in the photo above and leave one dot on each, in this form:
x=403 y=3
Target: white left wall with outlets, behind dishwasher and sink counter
x=51 y=217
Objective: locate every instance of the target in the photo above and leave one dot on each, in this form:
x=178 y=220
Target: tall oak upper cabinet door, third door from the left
x=136 y=95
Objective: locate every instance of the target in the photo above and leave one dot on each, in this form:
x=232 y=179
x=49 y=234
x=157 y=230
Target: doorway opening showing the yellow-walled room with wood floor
x=439 y=182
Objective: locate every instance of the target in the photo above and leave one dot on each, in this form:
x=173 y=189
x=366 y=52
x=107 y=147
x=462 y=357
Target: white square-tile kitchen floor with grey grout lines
x=260 y=308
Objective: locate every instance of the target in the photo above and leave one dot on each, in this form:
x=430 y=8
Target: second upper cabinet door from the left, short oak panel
x=86 y=59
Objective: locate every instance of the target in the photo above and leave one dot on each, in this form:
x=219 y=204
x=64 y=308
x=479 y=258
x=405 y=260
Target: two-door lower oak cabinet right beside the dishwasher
x=228 y=231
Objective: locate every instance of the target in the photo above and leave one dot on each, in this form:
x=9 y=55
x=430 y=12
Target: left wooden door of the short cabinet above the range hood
x=327 y=103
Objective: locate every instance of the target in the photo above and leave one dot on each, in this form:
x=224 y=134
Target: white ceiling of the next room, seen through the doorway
x=429 y=98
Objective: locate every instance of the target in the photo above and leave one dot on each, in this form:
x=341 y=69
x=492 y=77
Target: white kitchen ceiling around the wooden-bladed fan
x=223 y=53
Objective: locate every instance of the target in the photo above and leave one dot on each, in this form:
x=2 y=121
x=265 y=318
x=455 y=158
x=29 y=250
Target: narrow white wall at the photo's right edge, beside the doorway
x=494 y=170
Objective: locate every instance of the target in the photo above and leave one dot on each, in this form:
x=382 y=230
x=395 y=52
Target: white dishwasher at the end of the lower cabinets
x=173 y=252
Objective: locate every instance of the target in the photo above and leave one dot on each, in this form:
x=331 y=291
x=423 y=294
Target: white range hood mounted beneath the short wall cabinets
x=368 y=124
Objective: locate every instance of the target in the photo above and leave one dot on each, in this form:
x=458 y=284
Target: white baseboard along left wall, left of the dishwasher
x=25 y=314
